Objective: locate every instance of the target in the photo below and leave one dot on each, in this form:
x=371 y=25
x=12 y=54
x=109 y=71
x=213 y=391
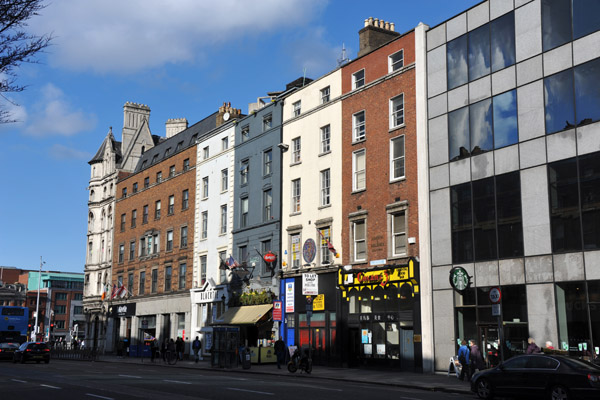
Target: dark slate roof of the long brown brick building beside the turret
x=176 y=143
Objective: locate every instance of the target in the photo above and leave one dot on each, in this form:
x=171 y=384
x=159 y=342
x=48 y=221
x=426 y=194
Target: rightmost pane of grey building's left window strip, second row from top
x=506 y=130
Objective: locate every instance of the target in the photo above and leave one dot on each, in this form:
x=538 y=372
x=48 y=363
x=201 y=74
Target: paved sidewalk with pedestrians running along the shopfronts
x=432 y=382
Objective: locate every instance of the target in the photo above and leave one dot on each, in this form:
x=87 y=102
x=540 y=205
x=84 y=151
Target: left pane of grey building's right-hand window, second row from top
x=558 y=100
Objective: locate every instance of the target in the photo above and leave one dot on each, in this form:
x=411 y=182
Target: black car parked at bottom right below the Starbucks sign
x=544 y=375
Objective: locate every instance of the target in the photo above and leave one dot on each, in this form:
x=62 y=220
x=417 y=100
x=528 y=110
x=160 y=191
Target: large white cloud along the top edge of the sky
x=127 y=36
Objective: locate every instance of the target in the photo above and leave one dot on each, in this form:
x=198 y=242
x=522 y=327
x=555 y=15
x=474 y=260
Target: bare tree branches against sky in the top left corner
x=16 y=45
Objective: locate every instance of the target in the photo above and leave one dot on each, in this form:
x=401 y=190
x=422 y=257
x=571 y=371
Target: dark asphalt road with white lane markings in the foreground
x=67 y=380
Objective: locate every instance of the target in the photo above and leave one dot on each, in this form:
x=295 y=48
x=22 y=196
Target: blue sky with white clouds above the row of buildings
x=183 y=59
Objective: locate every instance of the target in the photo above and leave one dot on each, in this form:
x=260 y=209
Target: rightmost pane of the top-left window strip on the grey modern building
x=502 y=37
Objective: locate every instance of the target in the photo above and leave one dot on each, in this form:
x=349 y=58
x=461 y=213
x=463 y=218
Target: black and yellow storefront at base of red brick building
x=381 y=308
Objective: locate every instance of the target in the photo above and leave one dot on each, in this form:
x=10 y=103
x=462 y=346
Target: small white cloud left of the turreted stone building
x=53 y=115
